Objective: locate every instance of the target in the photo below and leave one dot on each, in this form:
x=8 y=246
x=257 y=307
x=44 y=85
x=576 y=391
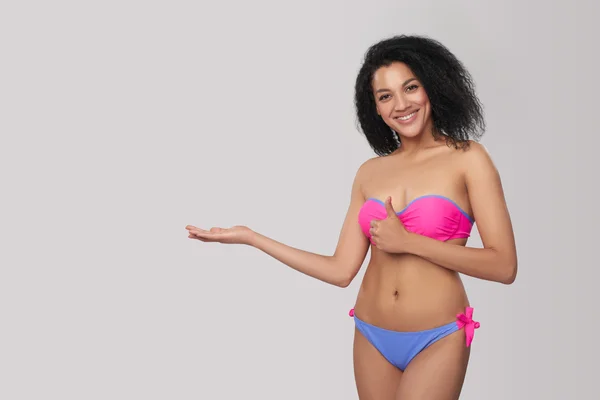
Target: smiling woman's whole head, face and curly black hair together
x=411 y=74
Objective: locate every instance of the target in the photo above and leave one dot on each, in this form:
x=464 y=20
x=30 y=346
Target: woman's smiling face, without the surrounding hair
x=401 y=100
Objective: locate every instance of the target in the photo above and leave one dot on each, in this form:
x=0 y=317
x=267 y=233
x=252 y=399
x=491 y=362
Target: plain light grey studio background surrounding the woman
x=124 y=121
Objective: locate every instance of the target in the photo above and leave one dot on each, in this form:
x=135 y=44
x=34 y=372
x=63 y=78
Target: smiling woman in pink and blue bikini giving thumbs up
x=414 y=206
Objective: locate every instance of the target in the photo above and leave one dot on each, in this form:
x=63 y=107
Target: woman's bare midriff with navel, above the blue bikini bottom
x=408 y=293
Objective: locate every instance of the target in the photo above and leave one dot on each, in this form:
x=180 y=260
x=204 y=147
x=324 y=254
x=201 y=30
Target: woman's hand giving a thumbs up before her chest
x=389 y=234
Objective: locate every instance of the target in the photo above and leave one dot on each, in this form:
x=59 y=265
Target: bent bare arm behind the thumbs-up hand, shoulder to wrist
x=497 y=260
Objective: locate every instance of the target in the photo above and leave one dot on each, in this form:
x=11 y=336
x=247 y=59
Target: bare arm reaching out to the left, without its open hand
x=338 y=269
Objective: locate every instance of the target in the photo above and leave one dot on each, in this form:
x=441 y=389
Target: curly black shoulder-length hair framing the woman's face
x=457 y=113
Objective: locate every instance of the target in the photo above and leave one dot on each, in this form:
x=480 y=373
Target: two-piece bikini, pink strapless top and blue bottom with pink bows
x=437 y=217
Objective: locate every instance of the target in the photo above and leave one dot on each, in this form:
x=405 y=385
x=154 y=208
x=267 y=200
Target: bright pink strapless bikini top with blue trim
x=431 y=215
